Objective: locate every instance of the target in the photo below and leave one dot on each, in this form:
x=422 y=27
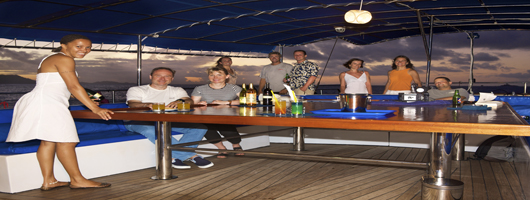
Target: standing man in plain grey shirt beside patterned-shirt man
x=274 y=74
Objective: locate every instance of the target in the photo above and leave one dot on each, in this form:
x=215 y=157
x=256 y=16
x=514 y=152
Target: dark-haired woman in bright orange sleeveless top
x=401 y=76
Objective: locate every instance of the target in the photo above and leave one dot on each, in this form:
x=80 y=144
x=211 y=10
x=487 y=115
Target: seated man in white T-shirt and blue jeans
x=160 y=91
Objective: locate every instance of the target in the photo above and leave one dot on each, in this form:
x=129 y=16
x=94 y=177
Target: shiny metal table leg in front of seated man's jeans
x=163 y=153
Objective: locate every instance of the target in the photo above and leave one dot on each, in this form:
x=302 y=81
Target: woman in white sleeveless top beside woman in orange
x=355 y=81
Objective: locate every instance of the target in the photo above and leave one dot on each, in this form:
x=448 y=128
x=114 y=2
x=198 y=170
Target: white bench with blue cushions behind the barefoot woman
x=105 y=148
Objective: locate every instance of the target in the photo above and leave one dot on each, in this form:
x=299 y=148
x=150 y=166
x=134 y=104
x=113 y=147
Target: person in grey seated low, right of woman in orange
x=444 y=91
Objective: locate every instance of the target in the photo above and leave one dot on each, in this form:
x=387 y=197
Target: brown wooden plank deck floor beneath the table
x=261 y=178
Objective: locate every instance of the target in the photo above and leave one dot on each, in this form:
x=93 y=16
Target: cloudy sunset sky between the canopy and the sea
x=500 y=56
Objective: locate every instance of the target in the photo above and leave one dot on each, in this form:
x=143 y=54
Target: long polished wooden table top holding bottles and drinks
x=427 y=118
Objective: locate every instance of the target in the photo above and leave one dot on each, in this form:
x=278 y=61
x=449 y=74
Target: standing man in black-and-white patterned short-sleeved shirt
x=303 y=74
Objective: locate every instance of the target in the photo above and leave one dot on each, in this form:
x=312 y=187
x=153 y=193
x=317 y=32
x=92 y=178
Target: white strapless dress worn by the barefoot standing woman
x=43 y=113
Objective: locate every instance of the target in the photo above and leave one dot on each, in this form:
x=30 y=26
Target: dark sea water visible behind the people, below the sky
x=7 y=90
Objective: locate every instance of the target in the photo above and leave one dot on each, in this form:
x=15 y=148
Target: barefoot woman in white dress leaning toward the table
x=43 y=113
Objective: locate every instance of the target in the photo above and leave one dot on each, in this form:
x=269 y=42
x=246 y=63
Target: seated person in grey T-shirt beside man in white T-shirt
x=218 y=91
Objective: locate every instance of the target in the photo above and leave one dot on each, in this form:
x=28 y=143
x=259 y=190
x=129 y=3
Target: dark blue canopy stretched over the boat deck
x=250 y=25
